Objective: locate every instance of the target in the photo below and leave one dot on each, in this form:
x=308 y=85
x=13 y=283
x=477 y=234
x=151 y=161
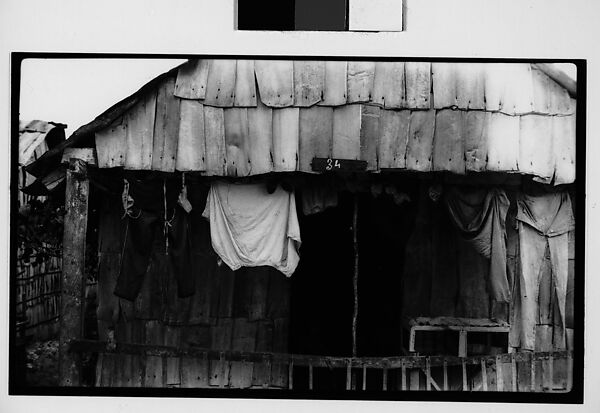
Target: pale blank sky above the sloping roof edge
x=75 y=91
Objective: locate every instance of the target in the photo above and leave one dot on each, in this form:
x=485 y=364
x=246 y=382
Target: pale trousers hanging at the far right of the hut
x=544 y=219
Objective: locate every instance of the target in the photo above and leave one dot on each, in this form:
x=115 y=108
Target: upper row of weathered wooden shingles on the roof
x=511 y=88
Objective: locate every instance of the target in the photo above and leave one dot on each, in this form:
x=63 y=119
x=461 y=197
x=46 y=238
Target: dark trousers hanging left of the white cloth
x=150 y=209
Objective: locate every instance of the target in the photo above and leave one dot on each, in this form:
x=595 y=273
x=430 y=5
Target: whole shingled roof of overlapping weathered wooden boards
x=240 y=118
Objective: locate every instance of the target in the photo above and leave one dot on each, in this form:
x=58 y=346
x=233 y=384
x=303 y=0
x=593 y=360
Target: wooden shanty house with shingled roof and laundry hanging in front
x=313 y=225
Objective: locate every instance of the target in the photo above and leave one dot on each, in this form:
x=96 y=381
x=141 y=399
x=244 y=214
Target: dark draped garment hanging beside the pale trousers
x=480 y=215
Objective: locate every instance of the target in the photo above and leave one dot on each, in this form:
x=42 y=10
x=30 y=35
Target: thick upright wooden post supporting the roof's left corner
x=73 y=273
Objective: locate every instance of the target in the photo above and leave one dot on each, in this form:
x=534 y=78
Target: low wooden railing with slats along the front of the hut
x=516 y=372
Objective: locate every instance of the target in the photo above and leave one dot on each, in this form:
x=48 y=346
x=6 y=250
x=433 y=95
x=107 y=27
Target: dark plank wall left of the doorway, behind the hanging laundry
x=244 y=310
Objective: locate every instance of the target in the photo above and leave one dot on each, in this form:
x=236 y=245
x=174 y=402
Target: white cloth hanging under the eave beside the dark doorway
x=250 y=227
